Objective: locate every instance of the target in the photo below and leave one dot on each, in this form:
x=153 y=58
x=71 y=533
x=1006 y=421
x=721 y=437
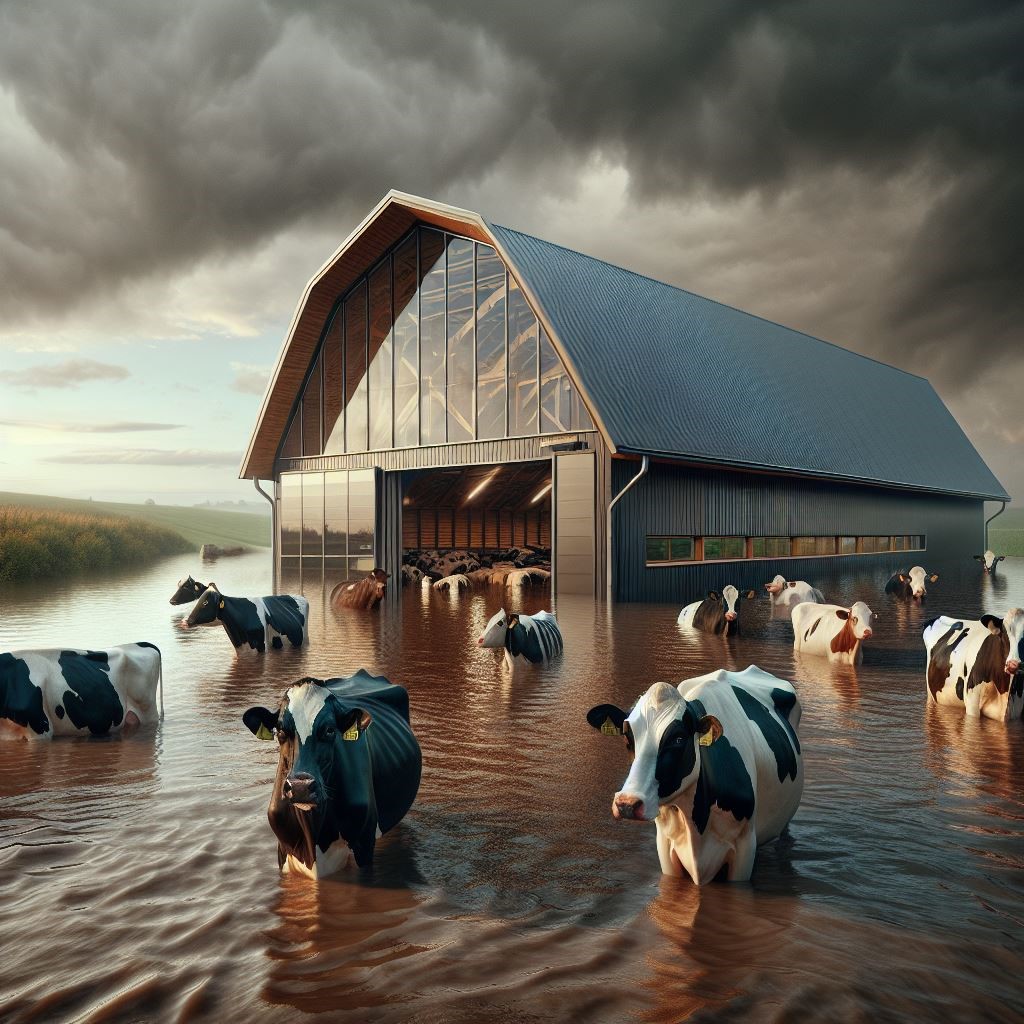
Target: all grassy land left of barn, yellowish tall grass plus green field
x=44 y=537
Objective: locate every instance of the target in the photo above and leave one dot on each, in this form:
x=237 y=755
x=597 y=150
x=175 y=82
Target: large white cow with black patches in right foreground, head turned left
x=716 y=764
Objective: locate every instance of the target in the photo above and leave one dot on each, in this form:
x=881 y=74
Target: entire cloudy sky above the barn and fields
x=173 y=174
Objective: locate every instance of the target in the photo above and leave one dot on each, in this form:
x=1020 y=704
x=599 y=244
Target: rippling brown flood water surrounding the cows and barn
x=139 y=876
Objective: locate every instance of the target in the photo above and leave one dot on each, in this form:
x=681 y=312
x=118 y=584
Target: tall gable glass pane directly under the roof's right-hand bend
x=490 y=345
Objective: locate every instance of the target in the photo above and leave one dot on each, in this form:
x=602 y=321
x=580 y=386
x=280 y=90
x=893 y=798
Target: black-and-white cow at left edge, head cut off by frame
x=46 y=694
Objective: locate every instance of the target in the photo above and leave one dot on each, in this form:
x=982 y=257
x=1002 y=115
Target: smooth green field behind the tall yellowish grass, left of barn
x=197 y=526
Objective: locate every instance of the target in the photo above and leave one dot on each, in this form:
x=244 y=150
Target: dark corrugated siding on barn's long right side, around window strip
x=697 y=502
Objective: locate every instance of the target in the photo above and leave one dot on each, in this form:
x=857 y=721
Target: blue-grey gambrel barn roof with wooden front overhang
x=669 y=373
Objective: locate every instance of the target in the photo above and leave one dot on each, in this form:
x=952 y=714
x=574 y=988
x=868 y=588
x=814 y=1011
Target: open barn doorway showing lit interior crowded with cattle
x=491 y=524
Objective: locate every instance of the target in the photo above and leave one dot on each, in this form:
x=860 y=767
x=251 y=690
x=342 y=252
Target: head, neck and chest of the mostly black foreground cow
x=324 y=788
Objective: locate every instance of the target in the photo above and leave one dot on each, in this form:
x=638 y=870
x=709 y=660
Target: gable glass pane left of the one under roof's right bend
x=461 y=340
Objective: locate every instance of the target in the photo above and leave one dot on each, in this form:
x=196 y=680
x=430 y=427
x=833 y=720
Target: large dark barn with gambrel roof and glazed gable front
x=451 y=385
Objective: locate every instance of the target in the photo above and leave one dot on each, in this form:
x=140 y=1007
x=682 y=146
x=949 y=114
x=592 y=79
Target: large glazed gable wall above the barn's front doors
x=437 y=345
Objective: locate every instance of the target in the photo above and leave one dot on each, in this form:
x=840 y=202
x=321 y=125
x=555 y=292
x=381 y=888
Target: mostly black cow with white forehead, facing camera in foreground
x=349 y=770
